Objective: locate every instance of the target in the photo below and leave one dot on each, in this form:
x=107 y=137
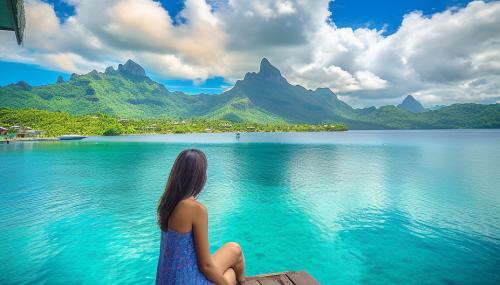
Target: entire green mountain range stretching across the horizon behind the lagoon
x=262 y=97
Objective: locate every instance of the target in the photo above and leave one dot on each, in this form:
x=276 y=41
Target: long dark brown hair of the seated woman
x=187 y=178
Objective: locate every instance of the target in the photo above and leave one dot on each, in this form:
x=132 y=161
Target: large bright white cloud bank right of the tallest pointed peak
x=434 y=56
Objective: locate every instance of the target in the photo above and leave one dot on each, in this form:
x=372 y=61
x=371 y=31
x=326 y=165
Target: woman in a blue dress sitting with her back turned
x=184 y=251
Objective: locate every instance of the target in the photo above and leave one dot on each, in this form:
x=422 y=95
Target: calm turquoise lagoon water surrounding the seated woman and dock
x=359 y=207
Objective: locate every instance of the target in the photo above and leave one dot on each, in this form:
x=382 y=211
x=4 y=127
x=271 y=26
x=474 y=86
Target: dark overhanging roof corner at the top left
x=12 y=17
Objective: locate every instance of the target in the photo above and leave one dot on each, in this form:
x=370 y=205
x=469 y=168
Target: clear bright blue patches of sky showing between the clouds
x=346 y=13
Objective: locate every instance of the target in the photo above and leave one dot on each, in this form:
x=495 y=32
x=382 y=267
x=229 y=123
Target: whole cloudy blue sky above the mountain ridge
x=367 y=52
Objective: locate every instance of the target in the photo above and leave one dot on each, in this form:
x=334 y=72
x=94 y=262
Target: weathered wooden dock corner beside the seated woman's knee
x=282 y=278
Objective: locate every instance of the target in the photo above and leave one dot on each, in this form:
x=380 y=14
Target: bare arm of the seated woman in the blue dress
x=200 y=232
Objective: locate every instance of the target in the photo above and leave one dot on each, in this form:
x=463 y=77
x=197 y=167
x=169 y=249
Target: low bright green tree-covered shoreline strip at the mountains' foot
x=60 y=123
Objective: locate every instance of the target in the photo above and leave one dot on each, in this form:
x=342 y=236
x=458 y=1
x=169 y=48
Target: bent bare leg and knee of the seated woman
x=230 y=256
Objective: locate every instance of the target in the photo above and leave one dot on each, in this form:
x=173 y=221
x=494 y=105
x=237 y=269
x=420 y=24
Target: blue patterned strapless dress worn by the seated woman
x=178 y=263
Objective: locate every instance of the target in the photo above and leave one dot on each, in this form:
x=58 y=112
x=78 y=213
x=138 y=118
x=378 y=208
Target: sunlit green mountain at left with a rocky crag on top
x=123 y=93
